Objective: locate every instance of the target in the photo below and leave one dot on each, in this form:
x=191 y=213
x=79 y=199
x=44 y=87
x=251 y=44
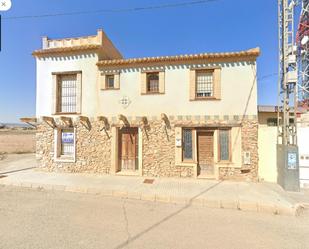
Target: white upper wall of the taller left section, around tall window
x=48 y=65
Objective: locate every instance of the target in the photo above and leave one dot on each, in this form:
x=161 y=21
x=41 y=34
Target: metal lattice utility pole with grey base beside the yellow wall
x=287 y=150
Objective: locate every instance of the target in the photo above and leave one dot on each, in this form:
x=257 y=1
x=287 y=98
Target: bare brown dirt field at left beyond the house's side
x=16 y=141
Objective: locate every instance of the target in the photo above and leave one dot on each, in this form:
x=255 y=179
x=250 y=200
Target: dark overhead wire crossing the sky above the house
x=134 y=9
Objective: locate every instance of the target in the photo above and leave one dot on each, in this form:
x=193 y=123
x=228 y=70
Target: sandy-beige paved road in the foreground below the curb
x=46 y=219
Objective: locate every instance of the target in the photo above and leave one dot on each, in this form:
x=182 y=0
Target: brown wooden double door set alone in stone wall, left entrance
x=128 y=149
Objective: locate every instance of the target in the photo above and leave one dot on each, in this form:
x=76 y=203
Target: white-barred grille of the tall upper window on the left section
x=67 y=93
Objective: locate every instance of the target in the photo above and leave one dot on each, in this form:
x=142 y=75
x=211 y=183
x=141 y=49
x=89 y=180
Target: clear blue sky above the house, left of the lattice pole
x=215 y=26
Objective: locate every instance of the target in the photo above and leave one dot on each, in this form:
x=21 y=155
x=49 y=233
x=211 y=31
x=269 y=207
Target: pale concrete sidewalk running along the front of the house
x=247 y=196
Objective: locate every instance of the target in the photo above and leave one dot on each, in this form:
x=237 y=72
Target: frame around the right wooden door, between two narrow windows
x=213 y=131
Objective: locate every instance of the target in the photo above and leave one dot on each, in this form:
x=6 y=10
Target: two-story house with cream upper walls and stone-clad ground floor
x=172 y=116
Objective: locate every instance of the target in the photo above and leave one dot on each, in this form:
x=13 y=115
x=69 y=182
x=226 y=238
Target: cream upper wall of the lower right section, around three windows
x=238 y=90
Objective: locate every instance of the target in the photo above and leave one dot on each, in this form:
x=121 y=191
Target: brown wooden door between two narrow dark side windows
x=205 y=153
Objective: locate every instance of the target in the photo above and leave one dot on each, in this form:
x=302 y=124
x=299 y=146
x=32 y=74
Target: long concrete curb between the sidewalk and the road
x=241 y=205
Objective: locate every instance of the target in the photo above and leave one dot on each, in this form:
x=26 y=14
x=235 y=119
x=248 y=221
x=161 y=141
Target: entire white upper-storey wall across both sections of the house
x=238 y=90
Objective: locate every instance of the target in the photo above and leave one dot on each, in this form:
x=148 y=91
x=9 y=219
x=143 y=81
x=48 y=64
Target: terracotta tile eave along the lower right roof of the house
x=249 y=54
